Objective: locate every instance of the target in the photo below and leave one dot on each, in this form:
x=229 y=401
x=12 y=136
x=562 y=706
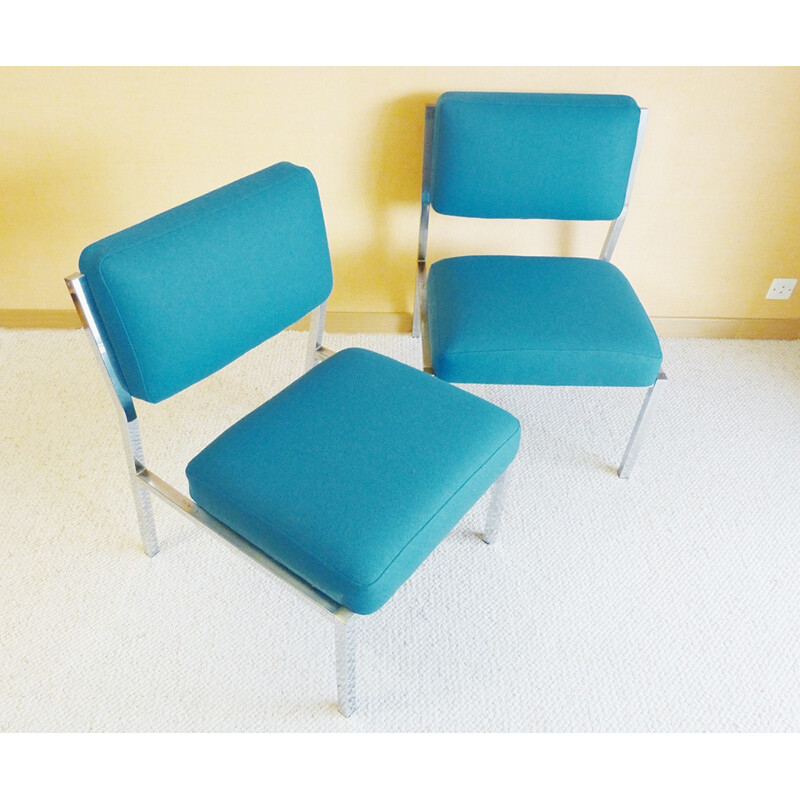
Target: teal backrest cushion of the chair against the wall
x=532 y=156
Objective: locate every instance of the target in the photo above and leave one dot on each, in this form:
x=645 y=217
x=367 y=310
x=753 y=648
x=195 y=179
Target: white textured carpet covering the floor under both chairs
x=670 y=602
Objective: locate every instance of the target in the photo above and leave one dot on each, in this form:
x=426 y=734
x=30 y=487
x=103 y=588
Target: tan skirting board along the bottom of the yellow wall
x=397 y=322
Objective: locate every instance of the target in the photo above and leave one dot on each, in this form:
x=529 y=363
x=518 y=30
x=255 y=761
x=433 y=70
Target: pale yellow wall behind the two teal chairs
x=85 y=151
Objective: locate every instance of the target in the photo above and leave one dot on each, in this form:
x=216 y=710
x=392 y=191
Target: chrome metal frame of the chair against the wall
x=420 y=318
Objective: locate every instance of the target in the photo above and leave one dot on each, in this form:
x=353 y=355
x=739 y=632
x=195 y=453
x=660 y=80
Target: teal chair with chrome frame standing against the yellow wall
x=534 y=320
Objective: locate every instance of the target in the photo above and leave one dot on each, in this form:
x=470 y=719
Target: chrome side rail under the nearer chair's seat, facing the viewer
x=189 y=508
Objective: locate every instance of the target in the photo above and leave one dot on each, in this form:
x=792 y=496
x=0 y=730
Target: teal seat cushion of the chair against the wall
x=538 y=320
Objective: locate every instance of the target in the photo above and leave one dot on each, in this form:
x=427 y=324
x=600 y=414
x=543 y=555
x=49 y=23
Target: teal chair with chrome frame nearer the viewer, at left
x=343 y=482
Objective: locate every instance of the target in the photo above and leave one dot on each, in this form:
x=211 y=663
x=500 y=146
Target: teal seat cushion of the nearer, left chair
x=351 y=476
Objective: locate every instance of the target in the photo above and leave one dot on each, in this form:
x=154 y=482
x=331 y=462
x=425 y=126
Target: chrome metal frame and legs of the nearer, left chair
x=144 y=483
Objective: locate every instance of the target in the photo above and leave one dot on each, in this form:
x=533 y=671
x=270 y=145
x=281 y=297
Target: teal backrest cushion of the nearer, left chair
x=186 y=292
